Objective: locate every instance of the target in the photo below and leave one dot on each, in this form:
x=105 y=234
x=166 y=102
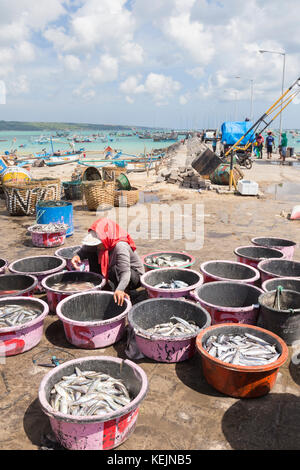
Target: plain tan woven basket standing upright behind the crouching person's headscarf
x=99 y=195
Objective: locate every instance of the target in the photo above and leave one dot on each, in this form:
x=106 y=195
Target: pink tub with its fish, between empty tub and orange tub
x=166 y=329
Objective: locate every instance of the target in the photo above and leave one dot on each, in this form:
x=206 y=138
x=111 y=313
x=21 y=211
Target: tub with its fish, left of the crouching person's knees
x=62 y=285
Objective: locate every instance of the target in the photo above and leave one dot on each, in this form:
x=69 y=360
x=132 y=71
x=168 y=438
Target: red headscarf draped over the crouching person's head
x=110 y=234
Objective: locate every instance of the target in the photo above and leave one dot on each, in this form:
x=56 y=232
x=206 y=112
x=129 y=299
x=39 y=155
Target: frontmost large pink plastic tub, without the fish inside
x=96 y=432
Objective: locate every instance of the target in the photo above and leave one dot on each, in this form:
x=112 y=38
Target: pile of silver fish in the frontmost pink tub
x=89 y=393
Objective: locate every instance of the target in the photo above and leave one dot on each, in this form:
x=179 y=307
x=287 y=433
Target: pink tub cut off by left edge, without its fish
x=18 y=339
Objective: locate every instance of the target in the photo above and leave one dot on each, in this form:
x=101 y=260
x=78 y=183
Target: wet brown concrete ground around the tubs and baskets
x=181 y=411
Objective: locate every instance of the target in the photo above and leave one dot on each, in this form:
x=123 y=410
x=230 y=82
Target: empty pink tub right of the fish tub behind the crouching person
x=229 y=271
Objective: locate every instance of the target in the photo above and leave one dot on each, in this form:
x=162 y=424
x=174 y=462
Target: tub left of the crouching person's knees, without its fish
x=54 y=296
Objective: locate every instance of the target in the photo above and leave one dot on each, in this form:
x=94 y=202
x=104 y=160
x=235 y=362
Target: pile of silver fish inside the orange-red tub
x=243 y=350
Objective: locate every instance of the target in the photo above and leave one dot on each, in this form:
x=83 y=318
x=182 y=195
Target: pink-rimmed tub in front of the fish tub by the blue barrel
x=38 y=266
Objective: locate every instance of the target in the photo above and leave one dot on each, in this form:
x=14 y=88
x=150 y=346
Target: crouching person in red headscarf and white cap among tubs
x=111 y=252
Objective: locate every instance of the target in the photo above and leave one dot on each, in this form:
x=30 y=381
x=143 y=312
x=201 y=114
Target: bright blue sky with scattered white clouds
x=158 y=63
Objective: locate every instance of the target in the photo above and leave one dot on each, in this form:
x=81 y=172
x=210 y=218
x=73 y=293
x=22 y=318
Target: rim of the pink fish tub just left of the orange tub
x=153 y=337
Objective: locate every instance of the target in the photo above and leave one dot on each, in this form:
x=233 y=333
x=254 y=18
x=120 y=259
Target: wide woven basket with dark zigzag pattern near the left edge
x=22 y=198
